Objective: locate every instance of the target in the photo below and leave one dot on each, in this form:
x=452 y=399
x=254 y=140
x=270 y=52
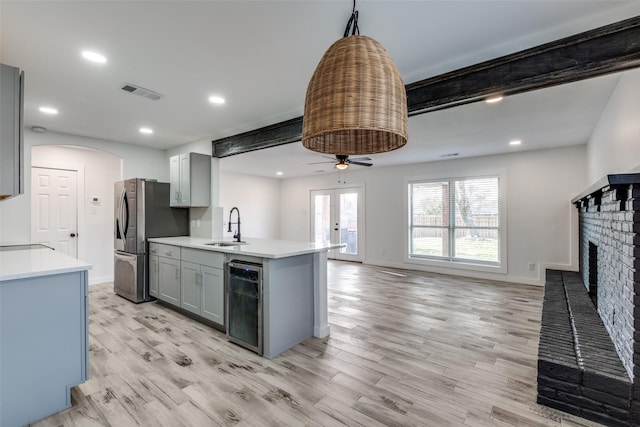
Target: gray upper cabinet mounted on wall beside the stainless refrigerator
x=190 y=179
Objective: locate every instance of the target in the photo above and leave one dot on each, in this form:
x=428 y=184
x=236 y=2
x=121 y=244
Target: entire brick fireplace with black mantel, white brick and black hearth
x=589 y=353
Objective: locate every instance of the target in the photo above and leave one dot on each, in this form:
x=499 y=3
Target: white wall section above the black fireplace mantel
x=614 y=146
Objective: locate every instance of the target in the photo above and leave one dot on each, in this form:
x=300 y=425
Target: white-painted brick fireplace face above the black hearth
x=609 y=221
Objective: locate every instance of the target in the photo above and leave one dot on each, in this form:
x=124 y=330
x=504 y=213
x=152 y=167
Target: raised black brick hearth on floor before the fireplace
x=579 y=371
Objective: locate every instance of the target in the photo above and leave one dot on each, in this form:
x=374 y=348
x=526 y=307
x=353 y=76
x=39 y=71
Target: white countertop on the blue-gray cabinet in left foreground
x=25 y=263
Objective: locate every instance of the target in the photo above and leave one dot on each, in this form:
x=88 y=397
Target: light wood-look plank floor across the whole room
x=406 y=349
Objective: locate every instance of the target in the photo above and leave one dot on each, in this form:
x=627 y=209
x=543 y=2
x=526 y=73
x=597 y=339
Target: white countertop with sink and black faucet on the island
x=263 y=248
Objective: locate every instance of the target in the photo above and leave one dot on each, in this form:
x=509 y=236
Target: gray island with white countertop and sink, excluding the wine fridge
x=294 y=300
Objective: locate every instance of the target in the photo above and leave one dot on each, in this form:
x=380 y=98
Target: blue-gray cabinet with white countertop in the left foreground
x=43 y=332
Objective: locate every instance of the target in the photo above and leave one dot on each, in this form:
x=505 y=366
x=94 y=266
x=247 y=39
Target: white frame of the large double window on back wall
x=456 y=262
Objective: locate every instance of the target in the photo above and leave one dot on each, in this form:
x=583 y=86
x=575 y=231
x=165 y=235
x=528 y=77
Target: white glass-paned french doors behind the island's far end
x=337 y=216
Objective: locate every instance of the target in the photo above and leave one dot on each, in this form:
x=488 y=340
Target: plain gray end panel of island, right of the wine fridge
x=288 y=299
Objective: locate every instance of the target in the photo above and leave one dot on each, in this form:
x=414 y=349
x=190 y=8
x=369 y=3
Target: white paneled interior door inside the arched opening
x=54 y=210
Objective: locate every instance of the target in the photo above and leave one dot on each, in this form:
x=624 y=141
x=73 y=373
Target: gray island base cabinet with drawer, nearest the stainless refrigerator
x=168 y=272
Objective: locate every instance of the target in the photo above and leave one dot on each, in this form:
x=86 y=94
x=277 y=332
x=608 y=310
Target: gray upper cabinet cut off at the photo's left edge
x=11 y=122
